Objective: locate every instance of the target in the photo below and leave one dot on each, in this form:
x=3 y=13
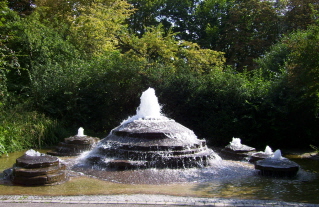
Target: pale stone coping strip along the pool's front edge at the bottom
x=144 y=199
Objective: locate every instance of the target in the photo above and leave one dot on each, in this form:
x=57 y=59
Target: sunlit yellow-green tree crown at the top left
x=90 y=25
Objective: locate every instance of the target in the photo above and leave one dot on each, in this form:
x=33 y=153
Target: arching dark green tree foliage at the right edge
x=296 y=57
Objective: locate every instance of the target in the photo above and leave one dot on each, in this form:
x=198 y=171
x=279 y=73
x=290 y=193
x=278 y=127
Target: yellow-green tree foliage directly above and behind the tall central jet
x=155 y=46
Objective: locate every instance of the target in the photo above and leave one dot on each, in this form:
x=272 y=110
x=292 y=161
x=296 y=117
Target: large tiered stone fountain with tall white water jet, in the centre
x=150 y=140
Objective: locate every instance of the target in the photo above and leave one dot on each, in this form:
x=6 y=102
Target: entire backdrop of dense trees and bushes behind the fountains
x=223 y=68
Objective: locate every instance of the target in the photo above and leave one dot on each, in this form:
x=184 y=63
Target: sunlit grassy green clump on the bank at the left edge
x=20 y=130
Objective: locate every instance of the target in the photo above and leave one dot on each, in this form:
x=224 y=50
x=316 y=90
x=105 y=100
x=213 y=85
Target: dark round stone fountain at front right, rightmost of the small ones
x=276 y=165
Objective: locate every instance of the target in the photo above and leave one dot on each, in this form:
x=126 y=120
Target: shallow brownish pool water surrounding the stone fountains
x=223 y=179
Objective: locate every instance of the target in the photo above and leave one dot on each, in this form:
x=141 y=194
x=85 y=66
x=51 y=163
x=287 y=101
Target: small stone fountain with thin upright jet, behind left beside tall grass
x=75 y=145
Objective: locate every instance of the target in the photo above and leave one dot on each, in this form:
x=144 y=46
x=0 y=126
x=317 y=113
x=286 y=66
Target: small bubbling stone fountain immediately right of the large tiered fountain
x=236 y=150
